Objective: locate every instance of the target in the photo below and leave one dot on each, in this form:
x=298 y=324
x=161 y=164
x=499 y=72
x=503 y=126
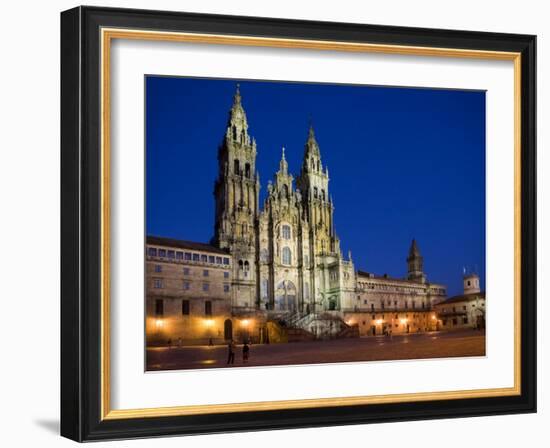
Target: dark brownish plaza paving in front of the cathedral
x=374 y=348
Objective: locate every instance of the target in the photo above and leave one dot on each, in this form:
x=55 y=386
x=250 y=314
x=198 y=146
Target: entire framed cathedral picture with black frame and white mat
x=276 y=224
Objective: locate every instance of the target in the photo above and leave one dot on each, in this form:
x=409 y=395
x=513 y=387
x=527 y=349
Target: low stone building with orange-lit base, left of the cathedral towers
x=188 y=287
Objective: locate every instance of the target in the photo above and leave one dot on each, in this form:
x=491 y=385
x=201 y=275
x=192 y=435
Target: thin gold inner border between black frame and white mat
x=107 y=35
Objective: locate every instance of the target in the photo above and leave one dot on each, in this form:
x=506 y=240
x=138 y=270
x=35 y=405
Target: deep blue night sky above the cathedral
x=403 y=163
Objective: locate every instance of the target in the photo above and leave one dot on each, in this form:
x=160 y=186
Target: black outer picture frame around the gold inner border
x=81 y=224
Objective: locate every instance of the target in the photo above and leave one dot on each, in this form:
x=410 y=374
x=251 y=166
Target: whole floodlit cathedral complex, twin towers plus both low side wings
x=274 y=271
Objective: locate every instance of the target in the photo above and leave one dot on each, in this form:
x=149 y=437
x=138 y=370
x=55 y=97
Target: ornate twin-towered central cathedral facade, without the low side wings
x=286 y=251
